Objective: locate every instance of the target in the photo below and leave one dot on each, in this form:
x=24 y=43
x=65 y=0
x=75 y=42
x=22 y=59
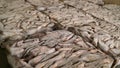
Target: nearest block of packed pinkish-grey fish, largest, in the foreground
x=57 y=49
